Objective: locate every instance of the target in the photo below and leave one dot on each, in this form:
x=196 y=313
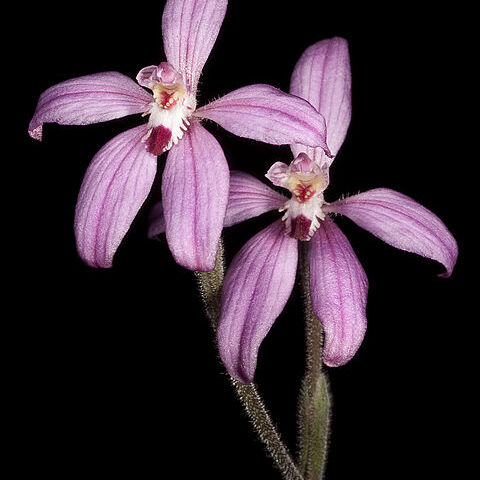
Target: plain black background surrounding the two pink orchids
x=115 y=372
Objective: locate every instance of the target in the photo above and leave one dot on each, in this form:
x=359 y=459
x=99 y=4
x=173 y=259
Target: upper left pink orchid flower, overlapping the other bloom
x=195 y=180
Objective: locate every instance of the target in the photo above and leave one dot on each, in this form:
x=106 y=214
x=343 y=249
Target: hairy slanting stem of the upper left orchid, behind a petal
x=210 y=286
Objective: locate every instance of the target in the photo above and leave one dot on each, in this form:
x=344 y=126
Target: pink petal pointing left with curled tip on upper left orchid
x=89 y=99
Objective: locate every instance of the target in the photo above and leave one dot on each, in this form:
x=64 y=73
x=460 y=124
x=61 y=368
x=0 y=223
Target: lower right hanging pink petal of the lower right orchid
x=338 y=289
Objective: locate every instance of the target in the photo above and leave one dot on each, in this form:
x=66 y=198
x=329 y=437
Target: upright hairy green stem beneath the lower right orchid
x=314 y=403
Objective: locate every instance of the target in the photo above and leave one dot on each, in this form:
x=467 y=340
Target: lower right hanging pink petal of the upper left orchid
x=194 y=196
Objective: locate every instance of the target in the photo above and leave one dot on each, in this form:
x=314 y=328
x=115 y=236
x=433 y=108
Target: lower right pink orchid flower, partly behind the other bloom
x=260 y=279
